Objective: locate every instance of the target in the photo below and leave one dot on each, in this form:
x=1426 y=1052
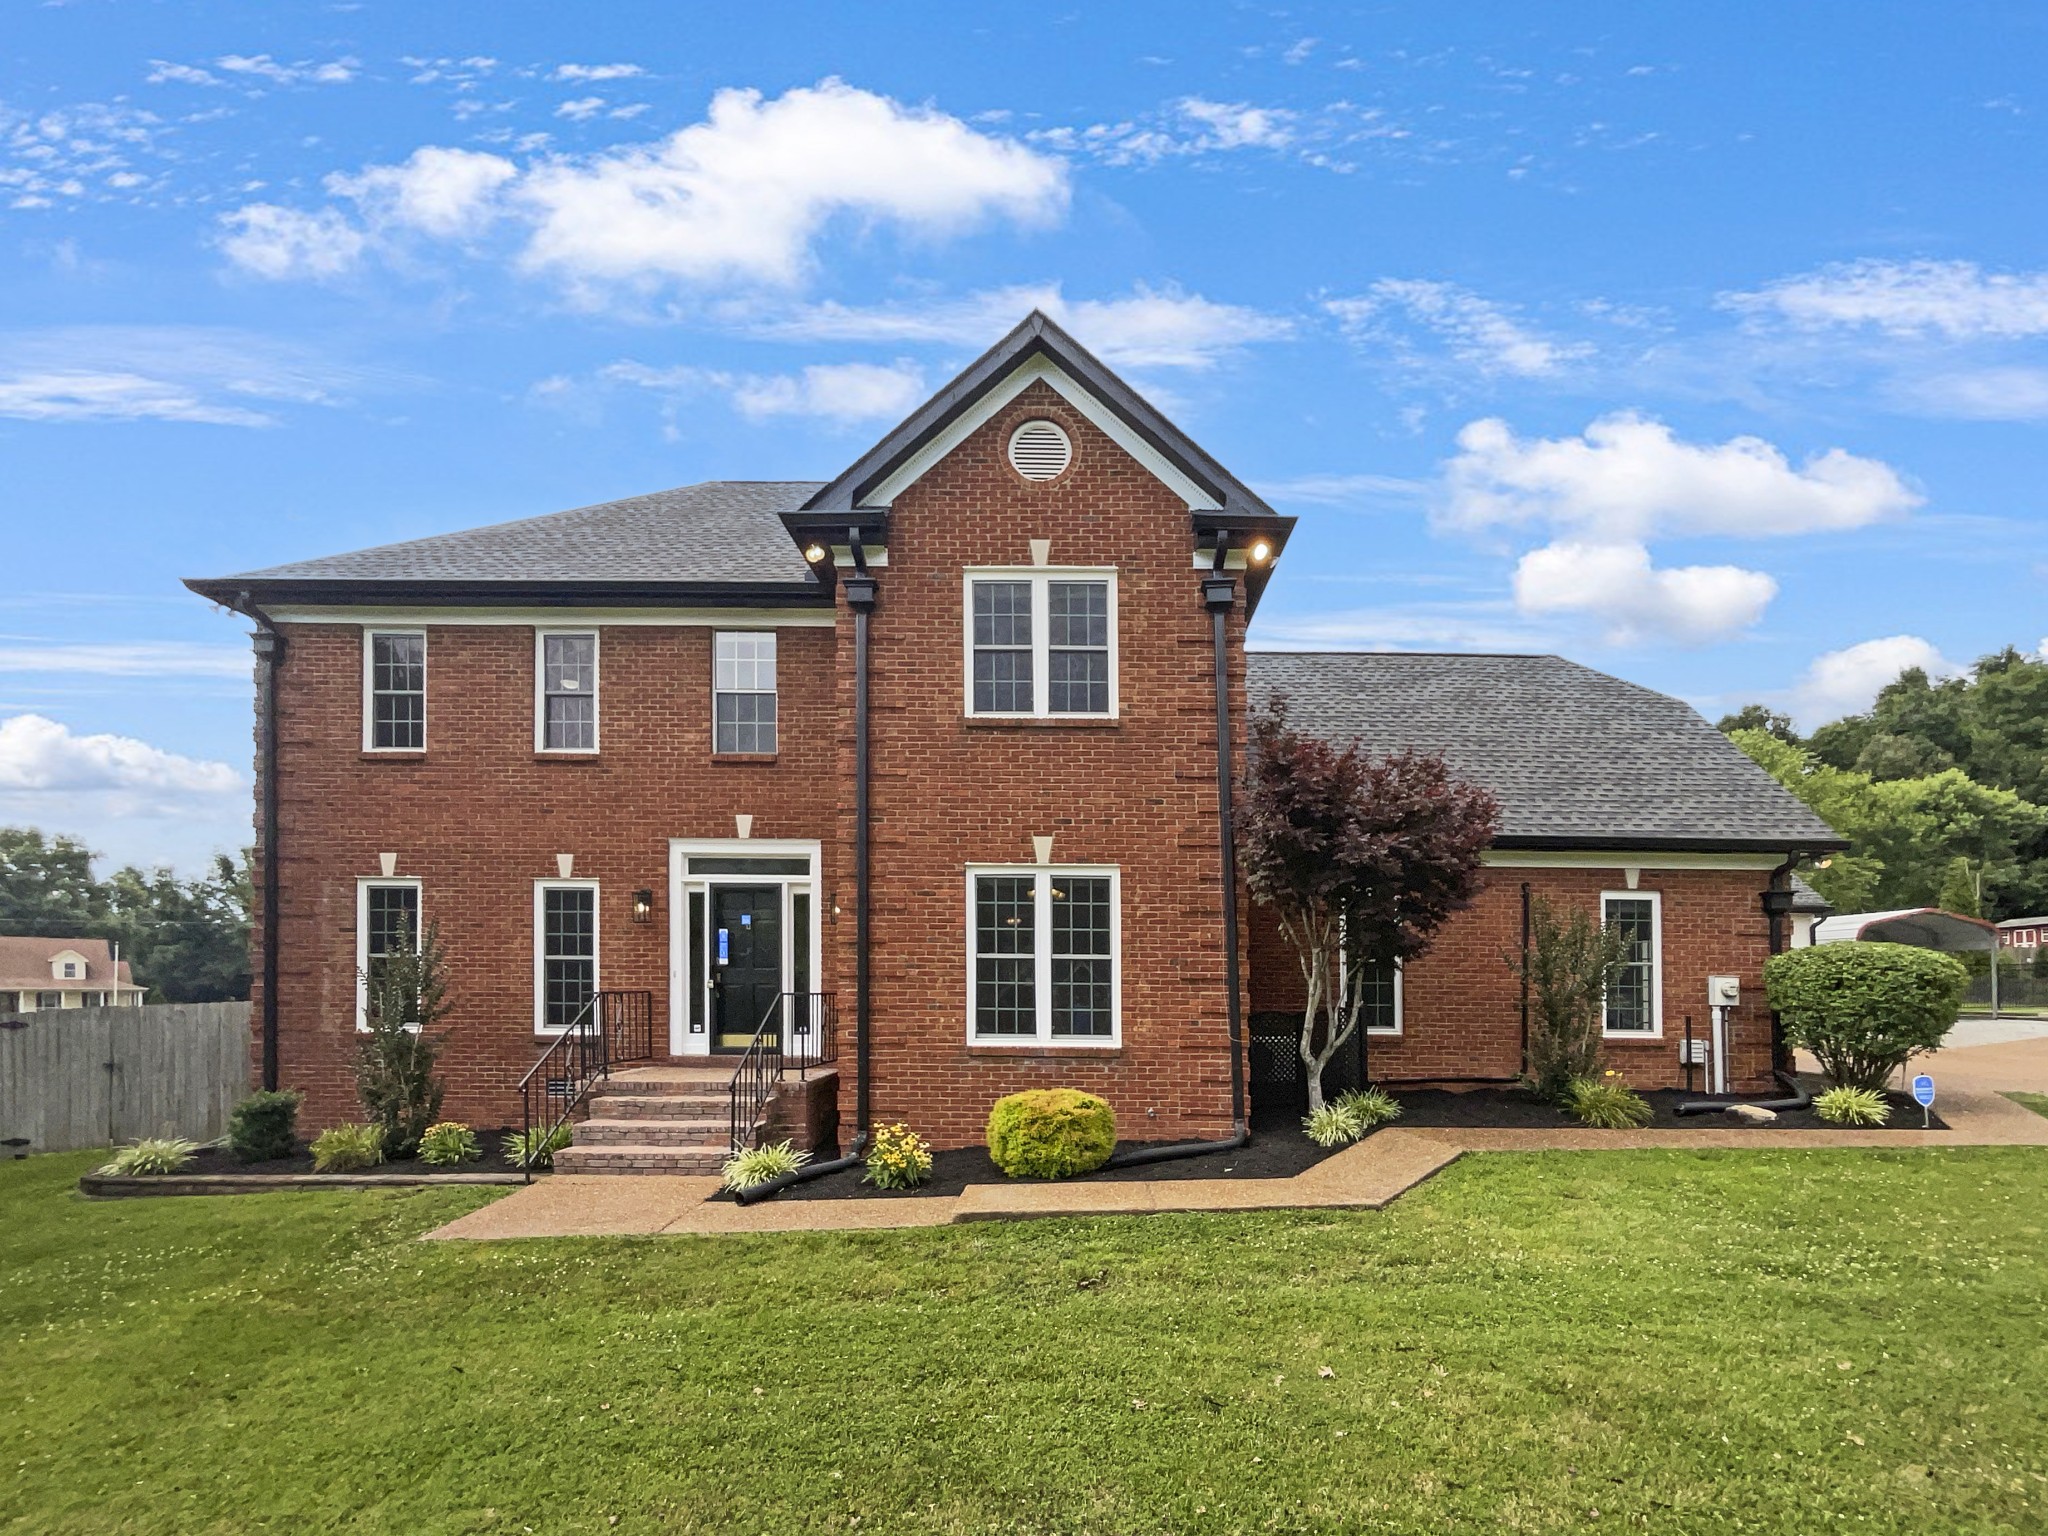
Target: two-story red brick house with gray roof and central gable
x=931 y=749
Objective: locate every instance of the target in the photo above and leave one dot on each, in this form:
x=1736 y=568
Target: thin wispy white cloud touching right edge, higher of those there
x=1951 y=300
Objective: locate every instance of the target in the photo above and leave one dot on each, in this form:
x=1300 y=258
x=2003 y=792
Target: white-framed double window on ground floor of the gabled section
x=1046 y=955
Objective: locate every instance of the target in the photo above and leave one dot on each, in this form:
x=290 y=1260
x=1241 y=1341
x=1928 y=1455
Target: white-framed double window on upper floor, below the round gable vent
x=1041 y=642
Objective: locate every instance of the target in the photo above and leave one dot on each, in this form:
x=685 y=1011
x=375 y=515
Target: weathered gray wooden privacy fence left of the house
x=95 y=1076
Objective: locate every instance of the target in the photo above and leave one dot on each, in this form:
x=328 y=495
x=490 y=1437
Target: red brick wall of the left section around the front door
x=478 y=818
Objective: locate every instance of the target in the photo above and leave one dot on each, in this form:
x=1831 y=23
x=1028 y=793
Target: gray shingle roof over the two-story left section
x=718 y=531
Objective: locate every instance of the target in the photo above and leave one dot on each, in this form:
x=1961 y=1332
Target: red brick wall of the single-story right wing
x=1461 y=1002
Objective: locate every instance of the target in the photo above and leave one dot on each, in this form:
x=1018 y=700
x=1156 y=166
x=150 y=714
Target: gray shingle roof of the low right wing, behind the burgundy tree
x=1572 y=755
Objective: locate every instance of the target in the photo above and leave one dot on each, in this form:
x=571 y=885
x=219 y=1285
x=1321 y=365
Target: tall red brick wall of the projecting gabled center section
x=1138 y=794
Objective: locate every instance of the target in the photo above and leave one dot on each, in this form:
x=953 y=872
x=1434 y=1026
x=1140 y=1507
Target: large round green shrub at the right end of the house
x=1865 y=1009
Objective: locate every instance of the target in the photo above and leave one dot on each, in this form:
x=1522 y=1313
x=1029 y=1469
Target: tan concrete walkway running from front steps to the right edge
x=1361 y=1179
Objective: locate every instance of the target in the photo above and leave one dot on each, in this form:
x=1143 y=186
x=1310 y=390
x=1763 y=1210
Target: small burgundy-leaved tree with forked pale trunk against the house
x=1355 y=855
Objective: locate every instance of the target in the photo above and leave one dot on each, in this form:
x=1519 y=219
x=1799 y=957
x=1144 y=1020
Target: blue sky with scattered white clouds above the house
x=1707 y=345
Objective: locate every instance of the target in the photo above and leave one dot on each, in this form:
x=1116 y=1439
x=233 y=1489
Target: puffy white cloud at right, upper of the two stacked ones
x=1629 y=478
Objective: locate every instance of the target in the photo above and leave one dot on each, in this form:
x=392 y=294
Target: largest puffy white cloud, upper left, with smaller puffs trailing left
x=740 y=198
